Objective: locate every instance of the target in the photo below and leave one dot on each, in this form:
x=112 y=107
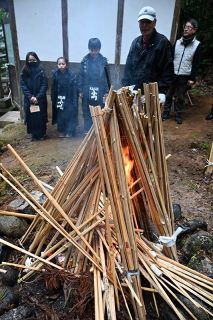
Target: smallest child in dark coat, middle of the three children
x=64 y=99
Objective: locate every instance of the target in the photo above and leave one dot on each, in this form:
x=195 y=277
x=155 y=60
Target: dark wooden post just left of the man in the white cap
x=119 y=30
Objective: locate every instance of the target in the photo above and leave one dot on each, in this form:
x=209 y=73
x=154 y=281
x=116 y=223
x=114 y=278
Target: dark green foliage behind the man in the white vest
x=202 y=11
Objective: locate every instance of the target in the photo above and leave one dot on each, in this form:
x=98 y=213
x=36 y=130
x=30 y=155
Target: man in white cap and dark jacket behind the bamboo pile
x=150 y=55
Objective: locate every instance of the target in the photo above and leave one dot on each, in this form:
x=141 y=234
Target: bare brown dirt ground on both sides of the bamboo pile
x=189 y=145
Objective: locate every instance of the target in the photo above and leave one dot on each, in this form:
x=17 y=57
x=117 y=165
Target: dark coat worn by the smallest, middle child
x=64 y=85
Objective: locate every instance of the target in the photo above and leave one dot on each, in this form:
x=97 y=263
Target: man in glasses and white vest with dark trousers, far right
x=187 y=55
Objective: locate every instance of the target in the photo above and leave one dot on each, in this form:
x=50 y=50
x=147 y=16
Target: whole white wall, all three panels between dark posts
x=39 y=26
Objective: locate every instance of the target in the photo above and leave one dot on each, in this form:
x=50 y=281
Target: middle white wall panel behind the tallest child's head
x=92 y=19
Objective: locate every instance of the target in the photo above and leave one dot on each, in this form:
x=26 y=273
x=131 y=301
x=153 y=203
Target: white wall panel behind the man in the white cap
x=164 y=10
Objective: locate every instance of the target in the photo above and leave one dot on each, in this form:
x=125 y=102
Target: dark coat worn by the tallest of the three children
x=92 y=73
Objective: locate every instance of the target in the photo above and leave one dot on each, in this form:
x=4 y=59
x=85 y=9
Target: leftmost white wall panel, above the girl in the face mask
x=39 y=28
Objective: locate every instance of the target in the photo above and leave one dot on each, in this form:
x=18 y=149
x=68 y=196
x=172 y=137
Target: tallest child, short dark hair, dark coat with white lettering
x=92 y=82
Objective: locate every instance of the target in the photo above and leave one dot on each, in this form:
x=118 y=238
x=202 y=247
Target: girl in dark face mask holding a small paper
x=34 y=84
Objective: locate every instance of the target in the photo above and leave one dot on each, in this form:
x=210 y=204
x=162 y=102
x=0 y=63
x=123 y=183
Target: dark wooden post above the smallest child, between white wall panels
x=64 y=8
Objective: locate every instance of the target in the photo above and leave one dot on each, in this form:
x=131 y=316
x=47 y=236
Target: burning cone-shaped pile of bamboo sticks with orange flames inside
x=100 y=218
